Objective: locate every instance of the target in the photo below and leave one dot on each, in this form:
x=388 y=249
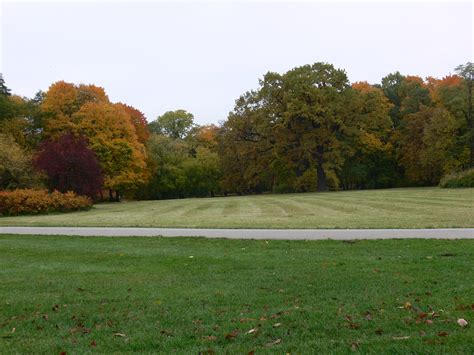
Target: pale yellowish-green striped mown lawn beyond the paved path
x=393 y=208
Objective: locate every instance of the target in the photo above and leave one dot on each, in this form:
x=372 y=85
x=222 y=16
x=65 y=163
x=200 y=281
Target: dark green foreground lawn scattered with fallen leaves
x=185 y=295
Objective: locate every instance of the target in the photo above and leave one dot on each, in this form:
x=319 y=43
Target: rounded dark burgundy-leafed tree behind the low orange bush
x=70 y=165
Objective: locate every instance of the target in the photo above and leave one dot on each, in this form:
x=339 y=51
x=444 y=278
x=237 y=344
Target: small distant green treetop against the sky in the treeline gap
x=175 y=124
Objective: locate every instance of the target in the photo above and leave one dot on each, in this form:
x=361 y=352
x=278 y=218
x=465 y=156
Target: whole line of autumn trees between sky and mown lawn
x=305 y=130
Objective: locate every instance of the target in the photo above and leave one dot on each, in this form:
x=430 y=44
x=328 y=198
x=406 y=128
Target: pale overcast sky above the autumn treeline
x=201 y=56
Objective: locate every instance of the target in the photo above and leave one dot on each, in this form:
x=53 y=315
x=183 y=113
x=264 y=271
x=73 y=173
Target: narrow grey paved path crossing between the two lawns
x=288 y=234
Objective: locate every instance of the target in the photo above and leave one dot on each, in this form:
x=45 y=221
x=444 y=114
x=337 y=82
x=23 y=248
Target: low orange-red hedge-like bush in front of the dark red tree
x=25 y=201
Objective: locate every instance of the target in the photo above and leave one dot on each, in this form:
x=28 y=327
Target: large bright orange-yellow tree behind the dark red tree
x=85 y=110
